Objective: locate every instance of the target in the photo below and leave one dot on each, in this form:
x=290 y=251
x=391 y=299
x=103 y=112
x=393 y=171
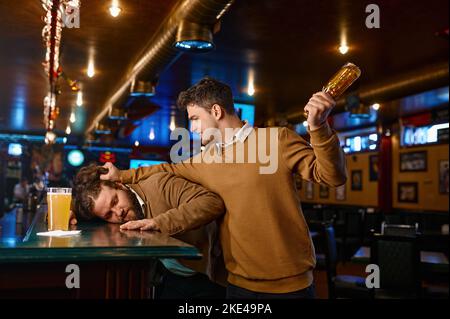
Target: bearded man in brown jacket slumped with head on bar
x=169 y=204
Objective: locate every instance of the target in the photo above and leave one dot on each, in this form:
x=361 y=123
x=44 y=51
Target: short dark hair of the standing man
x=206 y=93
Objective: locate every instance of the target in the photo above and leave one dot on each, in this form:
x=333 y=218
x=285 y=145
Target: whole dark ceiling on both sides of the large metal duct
x=290 y=45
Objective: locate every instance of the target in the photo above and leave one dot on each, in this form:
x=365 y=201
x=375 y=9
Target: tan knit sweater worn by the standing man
x=265 y=240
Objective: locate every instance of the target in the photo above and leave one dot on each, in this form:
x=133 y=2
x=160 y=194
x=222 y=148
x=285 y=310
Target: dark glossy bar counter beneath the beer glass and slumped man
x=112 y=263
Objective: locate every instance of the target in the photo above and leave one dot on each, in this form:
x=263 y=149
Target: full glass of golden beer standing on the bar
x=58 y=202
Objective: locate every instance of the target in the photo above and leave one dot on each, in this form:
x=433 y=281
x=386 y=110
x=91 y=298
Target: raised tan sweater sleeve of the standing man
x=322 y=160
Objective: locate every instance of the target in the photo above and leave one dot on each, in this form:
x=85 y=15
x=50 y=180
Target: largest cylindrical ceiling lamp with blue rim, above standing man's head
x=194 y=37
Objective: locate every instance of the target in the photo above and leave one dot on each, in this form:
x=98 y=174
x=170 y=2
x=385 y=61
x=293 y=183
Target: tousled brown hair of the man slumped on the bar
x=87 y=187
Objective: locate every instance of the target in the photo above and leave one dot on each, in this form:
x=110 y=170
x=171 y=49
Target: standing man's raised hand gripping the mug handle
x=319 y=108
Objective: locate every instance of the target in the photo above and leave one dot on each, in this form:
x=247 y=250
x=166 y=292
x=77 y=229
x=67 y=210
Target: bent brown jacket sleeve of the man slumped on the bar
x=193 y=205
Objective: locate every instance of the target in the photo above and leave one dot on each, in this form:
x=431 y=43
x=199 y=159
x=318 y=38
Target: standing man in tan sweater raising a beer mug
x=267 y=246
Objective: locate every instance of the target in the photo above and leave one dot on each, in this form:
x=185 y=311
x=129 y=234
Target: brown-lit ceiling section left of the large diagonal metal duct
x=114 y=42
